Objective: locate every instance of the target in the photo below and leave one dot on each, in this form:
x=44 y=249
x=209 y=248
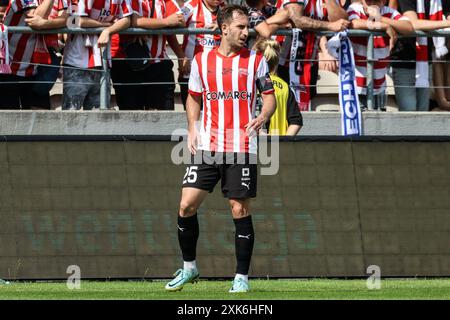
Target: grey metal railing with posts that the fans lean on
x=105 y=80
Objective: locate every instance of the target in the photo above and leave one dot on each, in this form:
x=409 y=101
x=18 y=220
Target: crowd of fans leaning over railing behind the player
x=142 y=73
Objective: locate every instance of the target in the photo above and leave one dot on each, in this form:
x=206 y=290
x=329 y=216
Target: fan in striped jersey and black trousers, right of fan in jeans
x=154 y=66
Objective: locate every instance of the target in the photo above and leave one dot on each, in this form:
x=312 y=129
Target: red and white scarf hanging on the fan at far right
x=422 y=69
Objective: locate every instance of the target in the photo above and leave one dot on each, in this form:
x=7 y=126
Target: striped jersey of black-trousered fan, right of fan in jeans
x=163 y=9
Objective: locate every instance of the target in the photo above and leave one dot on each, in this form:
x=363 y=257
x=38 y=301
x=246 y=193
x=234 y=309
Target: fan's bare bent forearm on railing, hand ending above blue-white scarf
x=307 y=23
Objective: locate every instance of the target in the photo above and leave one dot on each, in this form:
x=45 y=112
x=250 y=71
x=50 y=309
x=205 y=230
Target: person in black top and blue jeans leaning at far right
x=408 y=96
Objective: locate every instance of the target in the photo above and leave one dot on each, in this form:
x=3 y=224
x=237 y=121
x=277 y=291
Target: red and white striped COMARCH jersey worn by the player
x=228 y=86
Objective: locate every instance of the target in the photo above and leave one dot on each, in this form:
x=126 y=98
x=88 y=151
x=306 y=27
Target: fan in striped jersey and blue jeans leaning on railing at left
x=82 y=53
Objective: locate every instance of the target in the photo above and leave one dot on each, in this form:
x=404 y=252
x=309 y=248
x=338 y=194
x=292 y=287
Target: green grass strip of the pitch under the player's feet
x=216 y=290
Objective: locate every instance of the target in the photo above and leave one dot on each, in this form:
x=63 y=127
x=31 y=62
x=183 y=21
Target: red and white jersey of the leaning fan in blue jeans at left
x=82 y=50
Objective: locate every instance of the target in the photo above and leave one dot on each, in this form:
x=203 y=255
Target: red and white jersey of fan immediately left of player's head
x=197 y=15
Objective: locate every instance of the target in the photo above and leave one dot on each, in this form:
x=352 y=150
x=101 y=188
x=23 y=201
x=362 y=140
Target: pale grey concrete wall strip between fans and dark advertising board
x=27 y=122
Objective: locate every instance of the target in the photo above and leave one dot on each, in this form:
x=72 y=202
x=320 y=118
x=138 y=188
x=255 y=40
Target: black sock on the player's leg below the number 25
x=188 y=236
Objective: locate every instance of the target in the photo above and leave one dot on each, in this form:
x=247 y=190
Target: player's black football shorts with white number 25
x=238 y=177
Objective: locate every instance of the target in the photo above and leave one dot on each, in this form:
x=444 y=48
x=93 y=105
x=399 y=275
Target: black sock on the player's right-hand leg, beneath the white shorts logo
x=244 y=240
